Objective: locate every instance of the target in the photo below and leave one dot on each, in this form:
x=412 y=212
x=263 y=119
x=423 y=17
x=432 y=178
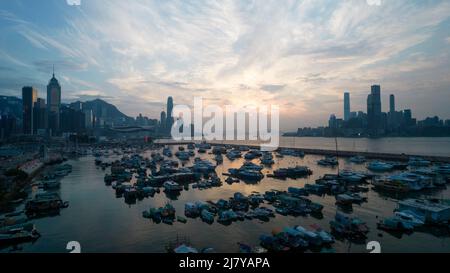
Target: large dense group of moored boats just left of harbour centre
x=130 y=176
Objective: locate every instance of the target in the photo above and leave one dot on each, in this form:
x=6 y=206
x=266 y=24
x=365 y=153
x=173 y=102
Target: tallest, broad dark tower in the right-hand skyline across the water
x=374 y=116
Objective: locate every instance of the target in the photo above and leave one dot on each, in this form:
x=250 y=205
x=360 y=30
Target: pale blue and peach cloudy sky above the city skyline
x=299 y=55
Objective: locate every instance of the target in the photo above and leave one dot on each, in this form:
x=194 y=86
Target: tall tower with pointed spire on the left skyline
x=53 y=105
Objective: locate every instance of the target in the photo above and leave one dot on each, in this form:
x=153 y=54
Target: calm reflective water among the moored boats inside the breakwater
x=100 y=222
